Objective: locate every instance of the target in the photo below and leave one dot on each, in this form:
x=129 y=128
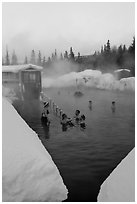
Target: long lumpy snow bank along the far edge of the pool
x=91 y=78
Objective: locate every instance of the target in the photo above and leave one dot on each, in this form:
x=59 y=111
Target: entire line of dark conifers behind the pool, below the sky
x=107 y=59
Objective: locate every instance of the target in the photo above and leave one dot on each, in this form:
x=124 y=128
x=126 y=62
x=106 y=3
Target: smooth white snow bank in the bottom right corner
x=120 y=185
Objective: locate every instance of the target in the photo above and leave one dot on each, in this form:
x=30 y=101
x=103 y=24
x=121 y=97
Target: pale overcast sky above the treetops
x=84 y=26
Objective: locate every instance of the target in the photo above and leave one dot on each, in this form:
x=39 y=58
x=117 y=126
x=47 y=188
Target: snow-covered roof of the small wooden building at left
x=16 y=68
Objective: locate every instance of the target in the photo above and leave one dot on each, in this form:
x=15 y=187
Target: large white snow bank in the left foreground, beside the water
x=28 y=172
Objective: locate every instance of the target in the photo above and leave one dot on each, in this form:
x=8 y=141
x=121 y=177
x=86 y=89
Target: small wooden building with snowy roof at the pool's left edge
x=24 y=79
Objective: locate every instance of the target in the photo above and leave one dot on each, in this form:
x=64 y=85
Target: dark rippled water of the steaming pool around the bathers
x=85 y=158
